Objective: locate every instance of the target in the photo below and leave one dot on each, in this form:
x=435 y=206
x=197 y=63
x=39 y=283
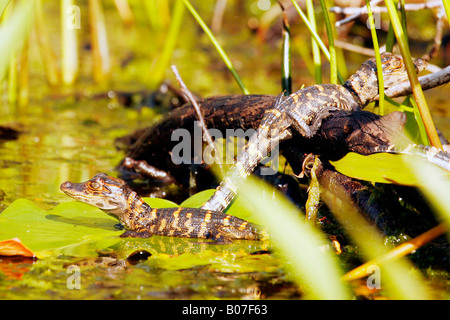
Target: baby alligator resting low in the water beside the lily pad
x=116 y=198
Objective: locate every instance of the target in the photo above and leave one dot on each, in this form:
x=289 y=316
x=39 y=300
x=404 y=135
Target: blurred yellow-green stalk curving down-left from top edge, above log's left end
x=160 y=67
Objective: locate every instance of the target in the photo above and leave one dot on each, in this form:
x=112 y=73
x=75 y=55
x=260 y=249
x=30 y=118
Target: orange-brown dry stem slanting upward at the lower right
x=399 y=251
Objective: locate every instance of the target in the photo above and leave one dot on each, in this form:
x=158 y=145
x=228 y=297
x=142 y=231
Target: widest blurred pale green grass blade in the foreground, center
x=297 y=241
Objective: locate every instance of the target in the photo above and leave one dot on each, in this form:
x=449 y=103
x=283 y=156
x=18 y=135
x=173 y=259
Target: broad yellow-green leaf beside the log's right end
x=379 y=167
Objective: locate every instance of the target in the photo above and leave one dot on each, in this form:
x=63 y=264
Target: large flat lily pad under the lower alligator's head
x=71 y=228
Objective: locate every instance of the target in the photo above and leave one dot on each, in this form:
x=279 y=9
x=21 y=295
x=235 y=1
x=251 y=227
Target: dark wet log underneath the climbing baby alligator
x=340 y=133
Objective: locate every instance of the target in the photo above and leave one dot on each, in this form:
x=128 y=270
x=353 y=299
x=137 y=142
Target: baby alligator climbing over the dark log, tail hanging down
x=304 y=111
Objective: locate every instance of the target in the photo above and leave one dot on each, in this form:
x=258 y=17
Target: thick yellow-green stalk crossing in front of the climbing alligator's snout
x=412 y=75
